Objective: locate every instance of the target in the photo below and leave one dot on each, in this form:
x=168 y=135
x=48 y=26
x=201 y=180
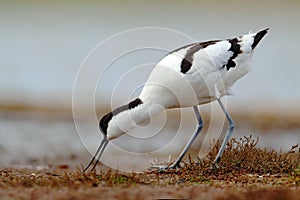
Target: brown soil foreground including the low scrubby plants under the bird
x=245 y=172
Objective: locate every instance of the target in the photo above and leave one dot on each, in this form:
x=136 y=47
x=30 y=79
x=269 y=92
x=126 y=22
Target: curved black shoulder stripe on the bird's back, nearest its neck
x=187 y=61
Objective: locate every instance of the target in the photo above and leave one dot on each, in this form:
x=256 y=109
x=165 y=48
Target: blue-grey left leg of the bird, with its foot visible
x=176 y=164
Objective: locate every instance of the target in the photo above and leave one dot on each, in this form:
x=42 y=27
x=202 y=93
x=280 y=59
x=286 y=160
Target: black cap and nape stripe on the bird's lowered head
x=103 y=124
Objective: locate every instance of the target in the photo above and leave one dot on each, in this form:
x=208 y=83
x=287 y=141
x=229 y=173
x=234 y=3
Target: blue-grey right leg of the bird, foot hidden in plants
x=228 y=134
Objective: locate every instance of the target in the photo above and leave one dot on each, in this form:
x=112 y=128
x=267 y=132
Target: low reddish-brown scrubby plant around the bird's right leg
x=243 y=155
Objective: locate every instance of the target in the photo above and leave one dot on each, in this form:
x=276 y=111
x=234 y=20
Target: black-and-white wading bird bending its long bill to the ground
x=192 y=75
